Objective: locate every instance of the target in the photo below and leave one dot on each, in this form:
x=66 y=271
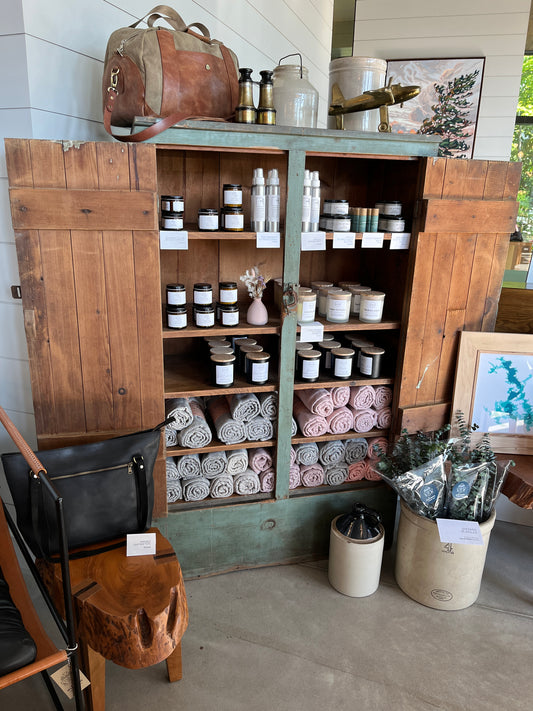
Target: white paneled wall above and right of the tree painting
x=402 y=29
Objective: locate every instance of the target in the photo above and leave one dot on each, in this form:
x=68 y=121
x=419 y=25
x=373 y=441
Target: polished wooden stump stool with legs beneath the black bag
x=130 y=610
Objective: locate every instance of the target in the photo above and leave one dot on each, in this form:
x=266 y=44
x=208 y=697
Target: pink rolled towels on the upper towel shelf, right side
x=342 y=409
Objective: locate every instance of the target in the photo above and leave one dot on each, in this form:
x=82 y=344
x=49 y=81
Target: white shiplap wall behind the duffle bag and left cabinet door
x=51 y=58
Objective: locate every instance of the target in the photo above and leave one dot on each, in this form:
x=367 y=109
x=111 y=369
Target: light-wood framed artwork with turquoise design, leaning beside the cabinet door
x=494 y=388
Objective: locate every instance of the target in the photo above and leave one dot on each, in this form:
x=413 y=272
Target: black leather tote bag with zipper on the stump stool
x=107 y=490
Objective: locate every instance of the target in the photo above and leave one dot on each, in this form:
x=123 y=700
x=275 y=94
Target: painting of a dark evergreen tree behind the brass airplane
x=448 y=103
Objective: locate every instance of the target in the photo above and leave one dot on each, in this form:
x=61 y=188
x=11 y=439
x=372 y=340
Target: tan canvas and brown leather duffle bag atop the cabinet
x=170 y=74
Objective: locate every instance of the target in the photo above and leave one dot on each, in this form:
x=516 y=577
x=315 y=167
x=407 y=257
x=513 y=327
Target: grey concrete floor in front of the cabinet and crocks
x=283 y=638
